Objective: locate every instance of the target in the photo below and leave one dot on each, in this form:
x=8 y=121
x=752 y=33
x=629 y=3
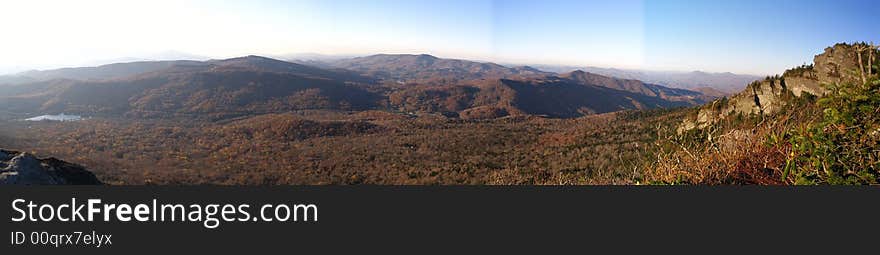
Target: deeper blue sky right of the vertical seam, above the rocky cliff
x=752 y=36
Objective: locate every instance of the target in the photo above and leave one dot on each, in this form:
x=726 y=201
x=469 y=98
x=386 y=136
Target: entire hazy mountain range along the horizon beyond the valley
x=257 y=85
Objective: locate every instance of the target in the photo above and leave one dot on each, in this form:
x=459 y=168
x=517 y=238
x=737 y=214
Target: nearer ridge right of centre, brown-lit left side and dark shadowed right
x=550 y=96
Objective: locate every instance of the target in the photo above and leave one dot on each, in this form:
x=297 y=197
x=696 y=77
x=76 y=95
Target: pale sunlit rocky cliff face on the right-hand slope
x=838 y=64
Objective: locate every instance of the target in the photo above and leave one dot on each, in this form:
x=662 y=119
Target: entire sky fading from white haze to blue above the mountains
x=755 y=37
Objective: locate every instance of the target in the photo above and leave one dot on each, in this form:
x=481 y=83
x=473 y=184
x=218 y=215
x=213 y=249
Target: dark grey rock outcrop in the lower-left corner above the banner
x=26 y=169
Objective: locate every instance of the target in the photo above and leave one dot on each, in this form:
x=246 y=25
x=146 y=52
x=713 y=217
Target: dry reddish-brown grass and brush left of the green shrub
x=730 y=152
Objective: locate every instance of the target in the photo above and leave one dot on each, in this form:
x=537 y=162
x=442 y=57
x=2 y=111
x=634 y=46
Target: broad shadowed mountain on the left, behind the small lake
x=234 y=86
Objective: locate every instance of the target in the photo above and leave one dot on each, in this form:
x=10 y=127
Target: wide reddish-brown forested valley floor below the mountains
x=350 y=148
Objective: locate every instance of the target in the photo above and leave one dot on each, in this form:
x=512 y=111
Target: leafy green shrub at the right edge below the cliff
x=842 y=148
